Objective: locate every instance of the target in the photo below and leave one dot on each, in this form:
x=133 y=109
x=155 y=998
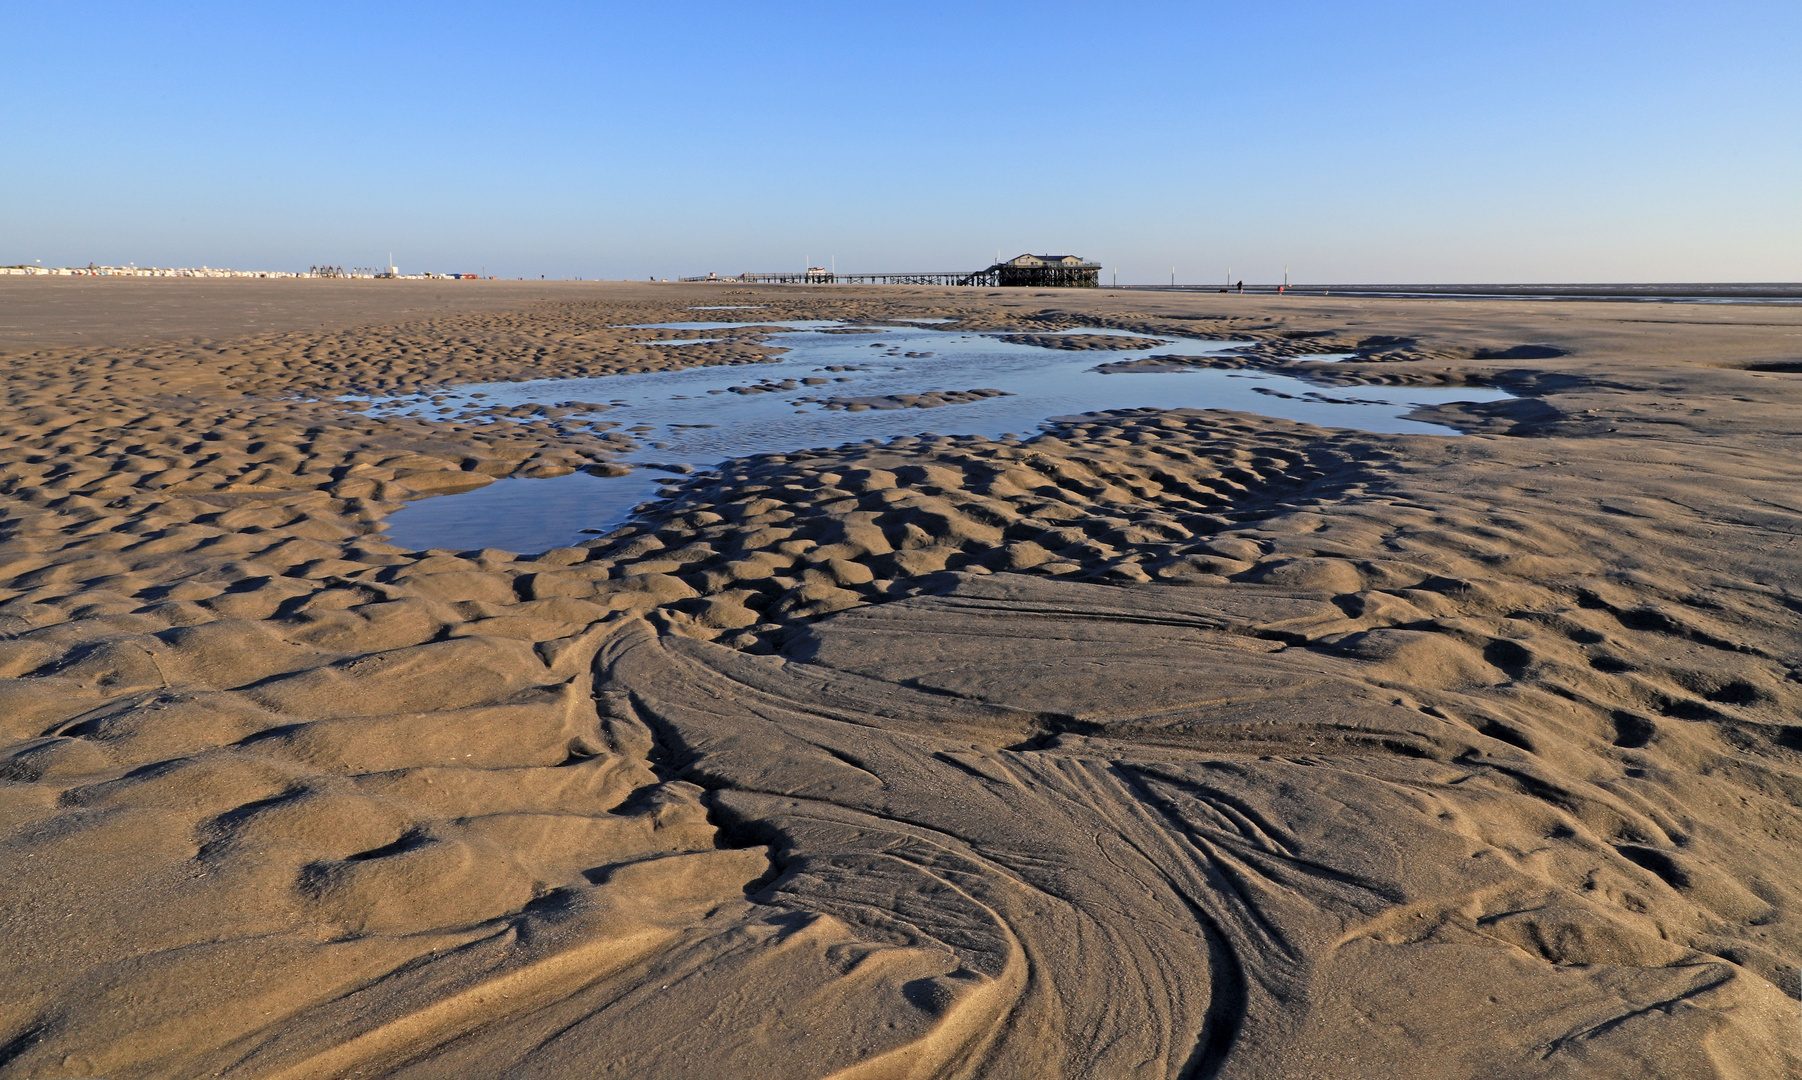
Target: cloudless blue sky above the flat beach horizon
x=1352 y=142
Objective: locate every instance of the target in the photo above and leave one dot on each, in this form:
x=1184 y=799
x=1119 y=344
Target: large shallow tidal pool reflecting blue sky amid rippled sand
x=839 y=385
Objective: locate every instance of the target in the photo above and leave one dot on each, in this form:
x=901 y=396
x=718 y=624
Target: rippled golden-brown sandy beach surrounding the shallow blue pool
x=1156 y=746
